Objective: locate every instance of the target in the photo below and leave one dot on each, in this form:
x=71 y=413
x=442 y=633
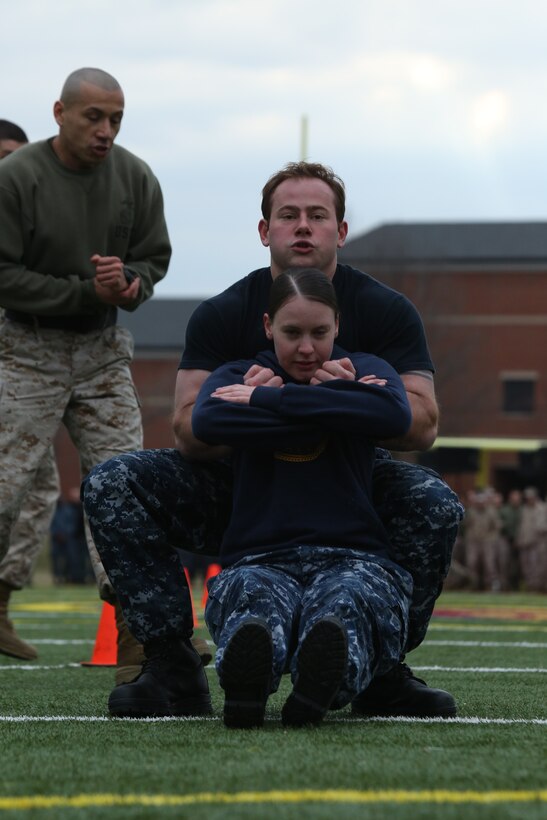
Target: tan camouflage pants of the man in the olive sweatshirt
x=52 y=377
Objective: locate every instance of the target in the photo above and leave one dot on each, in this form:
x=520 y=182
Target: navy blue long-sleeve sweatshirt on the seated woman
x=303 y=455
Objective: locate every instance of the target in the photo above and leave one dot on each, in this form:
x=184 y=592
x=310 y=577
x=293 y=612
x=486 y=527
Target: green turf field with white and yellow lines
x=62 y=757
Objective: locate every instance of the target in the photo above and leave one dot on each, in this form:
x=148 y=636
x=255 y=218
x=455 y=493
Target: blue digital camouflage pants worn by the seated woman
x=292 y=590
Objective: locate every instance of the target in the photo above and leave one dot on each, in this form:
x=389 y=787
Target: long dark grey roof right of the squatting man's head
x=468 y=242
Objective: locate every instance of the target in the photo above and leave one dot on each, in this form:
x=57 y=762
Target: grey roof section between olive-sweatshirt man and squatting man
x=159 y=324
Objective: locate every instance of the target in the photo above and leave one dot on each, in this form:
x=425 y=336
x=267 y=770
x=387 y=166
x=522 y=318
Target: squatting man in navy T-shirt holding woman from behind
x=141 y=506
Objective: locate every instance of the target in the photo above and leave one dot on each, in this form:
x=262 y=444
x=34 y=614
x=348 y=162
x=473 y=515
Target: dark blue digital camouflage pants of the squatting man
x=142 y=505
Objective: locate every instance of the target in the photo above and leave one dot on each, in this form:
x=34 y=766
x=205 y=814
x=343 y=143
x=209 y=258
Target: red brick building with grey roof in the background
x=481 y=289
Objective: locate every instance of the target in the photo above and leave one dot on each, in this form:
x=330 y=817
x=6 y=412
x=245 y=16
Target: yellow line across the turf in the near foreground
x=305 y=796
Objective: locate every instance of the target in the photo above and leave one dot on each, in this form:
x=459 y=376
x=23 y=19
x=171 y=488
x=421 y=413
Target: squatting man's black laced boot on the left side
x=172 y=683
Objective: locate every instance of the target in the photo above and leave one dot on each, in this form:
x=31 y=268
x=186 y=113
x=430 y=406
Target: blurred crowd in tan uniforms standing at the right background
x=502 y=542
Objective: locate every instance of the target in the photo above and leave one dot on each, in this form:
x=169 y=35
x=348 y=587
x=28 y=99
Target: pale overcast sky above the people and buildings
x=430 y=110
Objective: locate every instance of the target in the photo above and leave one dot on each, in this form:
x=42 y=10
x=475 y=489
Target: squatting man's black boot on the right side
x=400 y=694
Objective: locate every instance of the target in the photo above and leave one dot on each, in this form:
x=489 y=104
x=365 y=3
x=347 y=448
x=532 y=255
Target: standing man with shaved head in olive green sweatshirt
x=83 y=234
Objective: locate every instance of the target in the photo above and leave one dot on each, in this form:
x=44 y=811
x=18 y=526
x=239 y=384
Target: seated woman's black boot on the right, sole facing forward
x=321 y=665
